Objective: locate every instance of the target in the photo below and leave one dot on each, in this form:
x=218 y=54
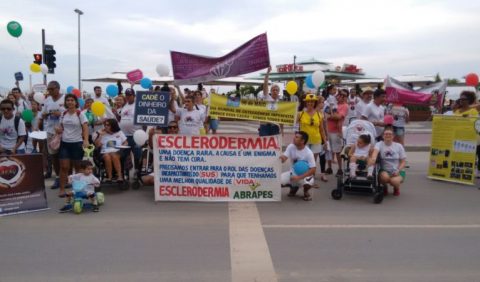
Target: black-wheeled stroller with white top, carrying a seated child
x=361 y=184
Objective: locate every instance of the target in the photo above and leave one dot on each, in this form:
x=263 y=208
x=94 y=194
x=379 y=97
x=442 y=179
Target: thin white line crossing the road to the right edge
x=373 y=226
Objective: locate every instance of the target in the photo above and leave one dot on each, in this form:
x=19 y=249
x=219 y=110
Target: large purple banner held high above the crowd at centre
x=250 y=57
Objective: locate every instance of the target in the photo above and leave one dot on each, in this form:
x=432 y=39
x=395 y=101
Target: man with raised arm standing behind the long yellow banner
x=268 y=129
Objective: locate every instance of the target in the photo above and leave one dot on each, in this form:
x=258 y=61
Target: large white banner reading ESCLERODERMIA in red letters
x=217 y=168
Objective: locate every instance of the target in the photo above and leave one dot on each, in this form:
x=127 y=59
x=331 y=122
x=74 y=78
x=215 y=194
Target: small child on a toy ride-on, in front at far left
x=86 y=176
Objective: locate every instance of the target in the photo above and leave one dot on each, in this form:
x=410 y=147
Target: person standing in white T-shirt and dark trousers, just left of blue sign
x=127 y=124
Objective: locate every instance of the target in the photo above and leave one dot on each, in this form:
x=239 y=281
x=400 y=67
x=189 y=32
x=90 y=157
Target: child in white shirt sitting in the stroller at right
x=361 y=153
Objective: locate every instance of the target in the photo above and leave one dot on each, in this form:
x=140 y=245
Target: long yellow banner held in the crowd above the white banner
x=274 y=112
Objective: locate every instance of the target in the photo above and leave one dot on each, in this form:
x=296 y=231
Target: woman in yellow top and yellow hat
x=311 y=122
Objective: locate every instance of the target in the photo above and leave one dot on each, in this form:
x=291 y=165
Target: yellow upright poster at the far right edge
x=453 y=149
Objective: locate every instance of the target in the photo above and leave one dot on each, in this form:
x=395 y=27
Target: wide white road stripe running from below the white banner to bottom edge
x=249 y=254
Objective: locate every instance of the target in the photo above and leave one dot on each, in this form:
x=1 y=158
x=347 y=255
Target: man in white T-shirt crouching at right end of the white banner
x=298 y=151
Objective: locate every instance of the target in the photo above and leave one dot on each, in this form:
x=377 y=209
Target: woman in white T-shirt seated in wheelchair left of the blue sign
x=109 y=138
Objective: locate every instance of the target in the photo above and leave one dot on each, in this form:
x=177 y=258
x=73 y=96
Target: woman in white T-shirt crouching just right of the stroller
x=392 y=161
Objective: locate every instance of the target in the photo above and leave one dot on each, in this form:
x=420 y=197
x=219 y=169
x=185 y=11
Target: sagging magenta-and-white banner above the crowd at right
x=430 y=95
